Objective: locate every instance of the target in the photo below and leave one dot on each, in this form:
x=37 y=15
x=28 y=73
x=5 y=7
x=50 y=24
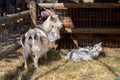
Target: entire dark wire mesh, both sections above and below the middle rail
x=91 y=18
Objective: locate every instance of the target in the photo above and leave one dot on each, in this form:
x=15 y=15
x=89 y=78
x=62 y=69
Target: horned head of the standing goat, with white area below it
x=52 y=24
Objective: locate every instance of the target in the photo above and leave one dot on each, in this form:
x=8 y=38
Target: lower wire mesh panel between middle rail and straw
x=84 y=40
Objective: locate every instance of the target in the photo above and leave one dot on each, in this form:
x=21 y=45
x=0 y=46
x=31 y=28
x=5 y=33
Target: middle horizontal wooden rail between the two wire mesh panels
x=92 y=30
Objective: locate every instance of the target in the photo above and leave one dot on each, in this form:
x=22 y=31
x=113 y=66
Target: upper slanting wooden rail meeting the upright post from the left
x=14 y=17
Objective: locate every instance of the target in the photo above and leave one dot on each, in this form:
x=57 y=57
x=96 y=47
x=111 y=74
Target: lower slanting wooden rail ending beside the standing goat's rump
x=11 y=48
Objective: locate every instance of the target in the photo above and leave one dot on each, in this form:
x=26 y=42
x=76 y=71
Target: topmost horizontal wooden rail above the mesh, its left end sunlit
x=80 y=5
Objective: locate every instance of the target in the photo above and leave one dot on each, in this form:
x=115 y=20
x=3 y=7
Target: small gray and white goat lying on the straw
x=85 y=54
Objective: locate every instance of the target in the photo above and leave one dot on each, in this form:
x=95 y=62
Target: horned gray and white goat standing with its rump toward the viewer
x=35 y=41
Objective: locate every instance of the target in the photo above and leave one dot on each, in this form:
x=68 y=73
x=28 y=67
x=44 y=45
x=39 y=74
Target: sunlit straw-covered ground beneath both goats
x=105 y=67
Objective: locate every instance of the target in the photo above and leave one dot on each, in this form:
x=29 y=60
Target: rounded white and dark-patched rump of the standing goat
x=35 y=42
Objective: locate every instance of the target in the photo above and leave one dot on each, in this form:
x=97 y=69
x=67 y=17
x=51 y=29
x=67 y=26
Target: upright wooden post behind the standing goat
x=33 y=12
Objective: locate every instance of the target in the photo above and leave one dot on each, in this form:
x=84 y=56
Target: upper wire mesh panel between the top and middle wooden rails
x=92 y=17
